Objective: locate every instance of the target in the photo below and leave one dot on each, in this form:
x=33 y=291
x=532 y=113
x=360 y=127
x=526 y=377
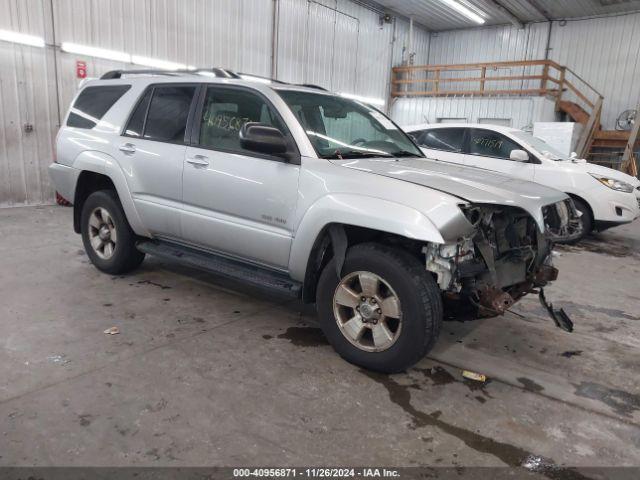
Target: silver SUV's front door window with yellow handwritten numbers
x=224 y=113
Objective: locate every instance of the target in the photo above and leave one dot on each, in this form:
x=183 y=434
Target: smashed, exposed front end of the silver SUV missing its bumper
x=505 y=257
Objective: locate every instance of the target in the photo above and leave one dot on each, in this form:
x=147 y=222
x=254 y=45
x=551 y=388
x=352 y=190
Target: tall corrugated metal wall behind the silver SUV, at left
x=338 y=44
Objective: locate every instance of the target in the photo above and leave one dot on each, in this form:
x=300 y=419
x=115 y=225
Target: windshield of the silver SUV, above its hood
x=342 y=128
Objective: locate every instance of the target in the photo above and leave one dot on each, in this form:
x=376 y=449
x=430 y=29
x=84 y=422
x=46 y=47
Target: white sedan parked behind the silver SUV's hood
x=605 y=197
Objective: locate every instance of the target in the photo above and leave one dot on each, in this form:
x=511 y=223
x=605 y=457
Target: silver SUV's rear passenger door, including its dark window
x=151 y=152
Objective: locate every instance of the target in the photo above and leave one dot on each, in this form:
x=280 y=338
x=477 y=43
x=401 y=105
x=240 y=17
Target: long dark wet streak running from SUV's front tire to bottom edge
x=509 y=454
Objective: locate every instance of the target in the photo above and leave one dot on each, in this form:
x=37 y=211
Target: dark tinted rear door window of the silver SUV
x=168 y=112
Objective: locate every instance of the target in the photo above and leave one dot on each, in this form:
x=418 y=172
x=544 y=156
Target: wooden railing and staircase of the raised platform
x=573 y=96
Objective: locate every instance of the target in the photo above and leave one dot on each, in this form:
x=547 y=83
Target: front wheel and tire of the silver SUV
x=401 y=276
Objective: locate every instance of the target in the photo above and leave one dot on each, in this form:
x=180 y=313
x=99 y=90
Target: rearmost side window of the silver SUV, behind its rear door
x=93 y=103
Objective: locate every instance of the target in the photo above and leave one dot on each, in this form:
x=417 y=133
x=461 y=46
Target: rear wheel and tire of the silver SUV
x=107 y=237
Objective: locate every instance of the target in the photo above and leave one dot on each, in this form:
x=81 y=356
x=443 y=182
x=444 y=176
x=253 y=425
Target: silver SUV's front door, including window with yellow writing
x=238 y=202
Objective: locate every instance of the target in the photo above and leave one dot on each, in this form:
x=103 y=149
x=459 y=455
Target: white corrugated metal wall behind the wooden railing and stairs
x=603 y=51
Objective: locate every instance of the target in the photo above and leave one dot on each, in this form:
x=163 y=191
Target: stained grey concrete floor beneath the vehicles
x=205 y=372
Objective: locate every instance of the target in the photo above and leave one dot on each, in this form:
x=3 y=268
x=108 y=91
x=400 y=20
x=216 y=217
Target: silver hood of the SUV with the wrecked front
x=472 y=184
